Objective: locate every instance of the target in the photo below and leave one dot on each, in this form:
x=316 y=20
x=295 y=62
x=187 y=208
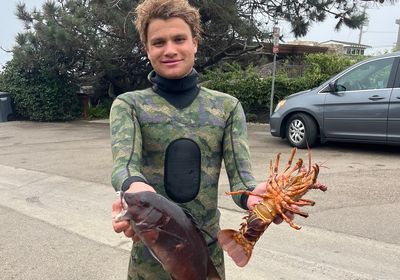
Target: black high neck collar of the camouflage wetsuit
x=178 y=92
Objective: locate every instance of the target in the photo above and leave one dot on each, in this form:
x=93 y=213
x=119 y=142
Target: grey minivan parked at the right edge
x=360 y=104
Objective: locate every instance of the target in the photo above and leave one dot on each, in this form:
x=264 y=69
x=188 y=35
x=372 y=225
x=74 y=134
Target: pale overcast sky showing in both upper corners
x=380 y=33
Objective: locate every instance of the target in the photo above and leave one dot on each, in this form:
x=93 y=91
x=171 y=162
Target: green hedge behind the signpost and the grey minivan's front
x=254 y=92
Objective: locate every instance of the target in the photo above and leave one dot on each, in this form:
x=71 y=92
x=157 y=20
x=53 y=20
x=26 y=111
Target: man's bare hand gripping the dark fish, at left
x=125 y=226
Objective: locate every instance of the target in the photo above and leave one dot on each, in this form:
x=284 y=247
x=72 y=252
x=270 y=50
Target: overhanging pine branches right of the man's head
x=235 y=27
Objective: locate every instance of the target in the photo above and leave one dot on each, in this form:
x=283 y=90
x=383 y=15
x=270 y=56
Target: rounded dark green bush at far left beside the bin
x=39 y=94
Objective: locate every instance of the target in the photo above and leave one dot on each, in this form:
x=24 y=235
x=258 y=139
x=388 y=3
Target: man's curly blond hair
x=148 y=10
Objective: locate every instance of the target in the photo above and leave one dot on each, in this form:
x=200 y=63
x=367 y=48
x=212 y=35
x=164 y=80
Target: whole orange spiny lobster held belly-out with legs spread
x=283 y=191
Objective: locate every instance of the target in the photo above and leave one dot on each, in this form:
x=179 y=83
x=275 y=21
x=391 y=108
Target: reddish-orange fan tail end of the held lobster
x=239 y=252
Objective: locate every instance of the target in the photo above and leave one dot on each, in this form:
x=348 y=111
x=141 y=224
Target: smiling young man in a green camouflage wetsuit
x=171 y=138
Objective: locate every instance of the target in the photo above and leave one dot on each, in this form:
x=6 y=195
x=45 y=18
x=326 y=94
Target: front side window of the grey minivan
x=371 y=75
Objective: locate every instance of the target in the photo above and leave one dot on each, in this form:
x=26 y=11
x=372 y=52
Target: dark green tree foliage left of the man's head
x=92 y=41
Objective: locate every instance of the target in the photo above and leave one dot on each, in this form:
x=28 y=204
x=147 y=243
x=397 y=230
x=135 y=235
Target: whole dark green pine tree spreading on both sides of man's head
x=94 y=43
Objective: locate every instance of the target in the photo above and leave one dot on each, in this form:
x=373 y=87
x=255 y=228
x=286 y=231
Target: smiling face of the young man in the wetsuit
x=170 y=47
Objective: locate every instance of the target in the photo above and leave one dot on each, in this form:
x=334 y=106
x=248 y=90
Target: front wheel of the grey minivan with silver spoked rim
x=301 y=131
